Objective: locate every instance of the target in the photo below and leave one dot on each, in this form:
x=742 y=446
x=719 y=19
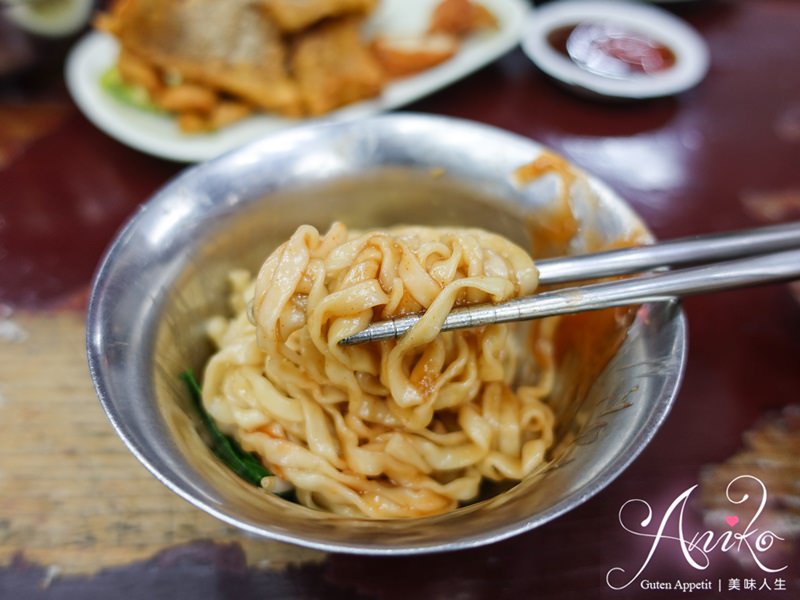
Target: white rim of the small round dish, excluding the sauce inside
x=691 y=53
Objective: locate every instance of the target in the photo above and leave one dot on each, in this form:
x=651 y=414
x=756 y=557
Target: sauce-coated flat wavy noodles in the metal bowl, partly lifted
x=399 y=428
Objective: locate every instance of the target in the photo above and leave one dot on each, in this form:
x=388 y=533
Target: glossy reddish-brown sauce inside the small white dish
x=611 y=49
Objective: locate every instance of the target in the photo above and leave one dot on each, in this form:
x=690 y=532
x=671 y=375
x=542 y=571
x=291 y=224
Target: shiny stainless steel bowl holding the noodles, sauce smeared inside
x=165 y=274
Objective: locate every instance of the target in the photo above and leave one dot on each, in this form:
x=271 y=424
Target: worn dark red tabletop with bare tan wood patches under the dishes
x=80 y=518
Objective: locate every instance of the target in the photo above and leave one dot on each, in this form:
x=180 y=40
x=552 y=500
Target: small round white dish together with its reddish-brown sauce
x=615 y=49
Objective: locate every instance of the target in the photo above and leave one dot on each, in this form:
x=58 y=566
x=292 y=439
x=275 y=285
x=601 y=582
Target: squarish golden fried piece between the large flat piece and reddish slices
x=333 y=67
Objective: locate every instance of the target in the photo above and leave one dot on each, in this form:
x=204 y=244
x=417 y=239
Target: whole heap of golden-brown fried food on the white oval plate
x=212 y=63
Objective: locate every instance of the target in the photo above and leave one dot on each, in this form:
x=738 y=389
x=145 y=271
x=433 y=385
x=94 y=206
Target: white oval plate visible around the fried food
x=159 y=134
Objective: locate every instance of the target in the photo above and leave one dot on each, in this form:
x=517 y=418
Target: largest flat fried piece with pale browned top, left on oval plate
x=231 y=46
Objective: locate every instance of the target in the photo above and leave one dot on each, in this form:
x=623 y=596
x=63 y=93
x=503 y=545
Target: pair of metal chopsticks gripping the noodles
x=763 y=255
